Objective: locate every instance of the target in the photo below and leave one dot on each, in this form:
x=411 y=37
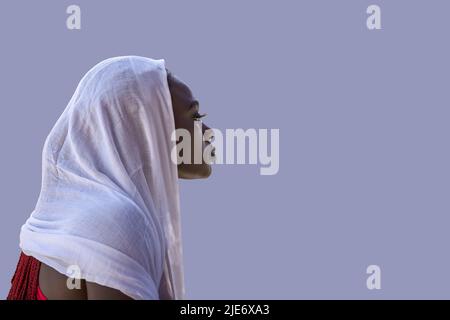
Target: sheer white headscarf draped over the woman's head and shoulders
x=109 y=201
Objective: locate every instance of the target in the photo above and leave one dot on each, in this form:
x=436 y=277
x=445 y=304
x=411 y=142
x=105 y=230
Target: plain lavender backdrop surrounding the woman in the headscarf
x=363 y=118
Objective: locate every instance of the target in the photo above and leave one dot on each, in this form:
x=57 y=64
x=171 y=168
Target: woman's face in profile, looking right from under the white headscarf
x=187 y=115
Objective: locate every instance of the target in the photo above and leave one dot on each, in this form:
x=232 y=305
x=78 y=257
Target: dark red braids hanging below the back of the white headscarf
x=25 y=282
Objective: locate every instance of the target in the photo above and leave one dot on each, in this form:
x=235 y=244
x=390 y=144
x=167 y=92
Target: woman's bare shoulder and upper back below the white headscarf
x=54 y=286
